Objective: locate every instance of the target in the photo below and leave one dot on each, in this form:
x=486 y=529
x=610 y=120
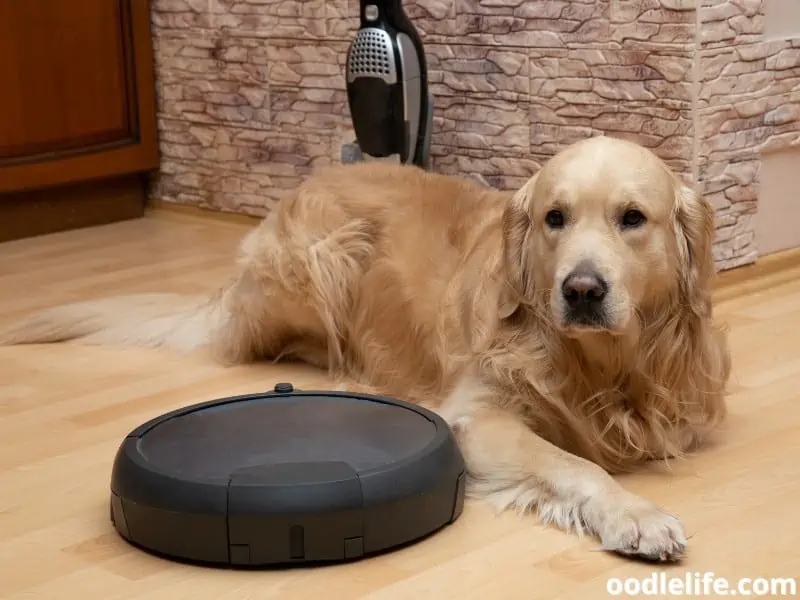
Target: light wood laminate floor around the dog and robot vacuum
x=65 y=409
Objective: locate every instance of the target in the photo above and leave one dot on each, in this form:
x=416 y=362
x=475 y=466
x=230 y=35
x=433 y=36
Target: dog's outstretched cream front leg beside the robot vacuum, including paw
x=512 y=468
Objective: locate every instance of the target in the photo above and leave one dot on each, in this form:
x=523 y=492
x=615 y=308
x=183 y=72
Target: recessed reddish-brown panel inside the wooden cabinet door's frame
x=64 y=74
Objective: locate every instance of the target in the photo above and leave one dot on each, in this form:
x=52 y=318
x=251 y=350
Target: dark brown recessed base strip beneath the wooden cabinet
x=61 y=208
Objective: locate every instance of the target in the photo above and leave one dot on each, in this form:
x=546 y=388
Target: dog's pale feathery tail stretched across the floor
x=143 y=320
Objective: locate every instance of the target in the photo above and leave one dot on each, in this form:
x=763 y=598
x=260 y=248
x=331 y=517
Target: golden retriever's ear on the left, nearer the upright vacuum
x=516 y=233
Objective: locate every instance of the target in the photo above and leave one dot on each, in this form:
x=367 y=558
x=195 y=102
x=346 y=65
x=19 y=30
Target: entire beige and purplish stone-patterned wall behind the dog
x=252 y=94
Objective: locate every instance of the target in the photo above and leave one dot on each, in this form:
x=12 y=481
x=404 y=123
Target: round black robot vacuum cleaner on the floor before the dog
x=286 y=477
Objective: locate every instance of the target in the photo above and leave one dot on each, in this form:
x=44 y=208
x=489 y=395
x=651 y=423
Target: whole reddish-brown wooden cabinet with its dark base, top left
x=77 y=113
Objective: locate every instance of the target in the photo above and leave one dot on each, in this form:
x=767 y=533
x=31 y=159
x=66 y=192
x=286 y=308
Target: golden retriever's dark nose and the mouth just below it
x=584 y=295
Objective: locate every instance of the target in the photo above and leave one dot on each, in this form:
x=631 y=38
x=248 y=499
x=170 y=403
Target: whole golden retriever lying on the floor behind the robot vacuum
x=564 y=330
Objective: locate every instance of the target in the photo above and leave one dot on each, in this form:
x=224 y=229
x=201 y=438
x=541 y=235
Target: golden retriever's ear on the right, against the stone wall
x=693 y=220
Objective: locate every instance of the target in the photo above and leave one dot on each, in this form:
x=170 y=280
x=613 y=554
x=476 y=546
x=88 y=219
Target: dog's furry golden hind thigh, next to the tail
x=292 y=293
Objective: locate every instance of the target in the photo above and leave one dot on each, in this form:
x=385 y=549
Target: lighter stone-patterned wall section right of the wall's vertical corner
x=748 y=102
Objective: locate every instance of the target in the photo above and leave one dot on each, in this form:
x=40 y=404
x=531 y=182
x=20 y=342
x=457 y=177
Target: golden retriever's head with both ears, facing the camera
x=605 y=230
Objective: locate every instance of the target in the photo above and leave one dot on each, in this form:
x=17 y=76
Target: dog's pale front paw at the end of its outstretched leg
x=645 y=532
